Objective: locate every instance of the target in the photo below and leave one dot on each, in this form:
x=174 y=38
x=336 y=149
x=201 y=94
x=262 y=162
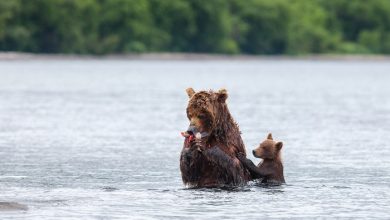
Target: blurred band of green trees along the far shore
x=196 y=26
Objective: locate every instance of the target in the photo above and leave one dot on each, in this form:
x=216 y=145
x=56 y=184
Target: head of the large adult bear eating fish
x=205 y=109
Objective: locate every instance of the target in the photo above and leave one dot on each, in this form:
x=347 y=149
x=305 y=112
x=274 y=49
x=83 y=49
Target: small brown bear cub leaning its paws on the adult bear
x=270 y=170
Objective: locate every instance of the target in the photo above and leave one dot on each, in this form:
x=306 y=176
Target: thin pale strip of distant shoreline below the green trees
x=9 y=56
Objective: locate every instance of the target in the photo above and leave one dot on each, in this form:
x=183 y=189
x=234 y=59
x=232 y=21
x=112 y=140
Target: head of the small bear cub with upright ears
x=268 y=149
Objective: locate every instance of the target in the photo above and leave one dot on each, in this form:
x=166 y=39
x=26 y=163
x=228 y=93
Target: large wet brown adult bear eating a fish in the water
x=212 y=141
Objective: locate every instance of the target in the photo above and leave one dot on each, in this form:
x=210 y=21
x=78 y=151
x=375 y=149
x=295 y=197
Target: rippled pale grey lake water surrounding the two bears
x=99 y=139
